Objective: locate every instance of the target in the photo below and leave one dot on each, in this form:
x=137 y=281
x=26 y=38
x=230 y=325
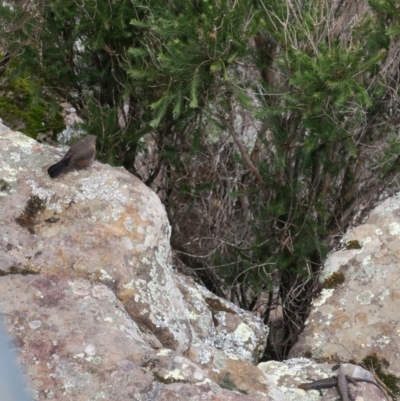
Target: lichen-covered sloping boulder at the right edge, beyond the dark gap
x=360 y=316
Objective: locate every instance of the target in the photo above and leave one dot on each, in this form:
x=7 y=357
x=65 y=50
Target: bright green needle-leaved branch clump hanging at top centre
x=187 y=48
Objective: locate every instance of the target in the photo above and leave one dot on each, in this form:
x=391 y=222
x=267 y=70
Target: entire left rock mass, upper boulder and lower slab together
x=89 y=297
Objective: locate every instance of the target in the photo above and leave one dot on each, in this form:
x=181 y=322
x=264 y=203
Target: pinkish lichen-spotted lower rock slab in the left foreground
x=92 y=349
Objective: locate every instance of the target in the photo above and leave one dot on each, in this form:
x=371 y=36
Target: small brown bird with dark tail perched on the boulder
x=79 y=155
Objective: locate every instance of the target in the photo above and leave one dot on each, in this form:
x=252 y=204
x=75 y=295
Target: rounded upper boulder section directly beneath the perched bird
x=103 y=227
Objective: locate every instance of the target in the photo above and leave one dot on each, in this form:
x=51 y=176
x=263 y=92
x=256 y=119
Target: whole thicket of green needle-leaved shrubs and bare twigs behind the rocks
x=273 y=124
